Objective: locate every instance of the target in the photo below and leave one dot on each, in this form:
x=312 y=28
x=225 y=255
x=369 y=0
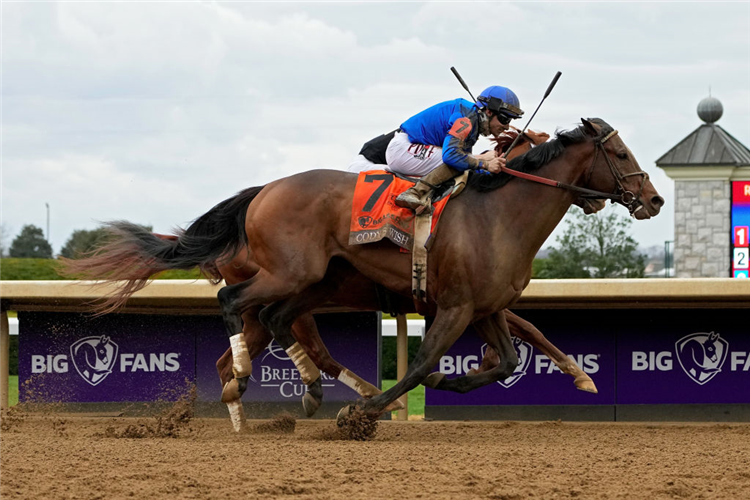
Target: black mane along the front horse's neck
x=537 y=157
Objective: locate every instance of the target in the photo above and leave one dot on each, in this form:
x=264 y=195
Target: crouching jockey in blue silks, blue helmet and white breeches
x=436 y=144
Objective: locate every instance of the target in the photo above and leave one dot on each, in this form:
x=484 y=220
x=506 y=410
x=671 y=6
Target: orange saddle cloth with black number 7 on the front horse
x=375 y=215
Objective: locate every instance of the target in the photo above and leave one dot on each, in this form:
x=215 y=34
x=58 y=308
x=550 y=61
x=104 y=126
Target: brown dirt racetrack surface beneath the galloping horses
x=61 y=456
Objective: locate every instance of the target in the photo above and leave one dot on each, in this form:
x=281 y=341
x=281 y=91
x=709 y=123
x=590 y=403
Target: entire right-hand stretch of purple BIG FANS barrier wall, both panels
x=635 y=357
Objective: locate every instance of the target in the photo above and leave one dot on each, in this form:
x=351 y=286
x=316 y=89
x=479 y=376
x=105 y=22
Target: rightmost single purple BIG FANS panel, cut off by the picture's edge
x=676 y=359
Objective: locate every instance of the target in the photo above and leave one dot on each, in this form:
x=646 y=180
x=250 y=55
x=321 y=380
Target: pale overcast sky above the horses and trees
x=155 y=111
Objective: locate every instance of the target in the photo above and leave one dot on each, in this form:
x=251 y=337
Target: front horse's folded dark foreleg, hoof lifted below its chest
x=493 y=330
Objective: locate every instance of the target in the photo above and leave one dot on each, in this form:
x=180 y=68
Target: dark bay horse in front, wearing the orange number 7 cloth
x=298 y=230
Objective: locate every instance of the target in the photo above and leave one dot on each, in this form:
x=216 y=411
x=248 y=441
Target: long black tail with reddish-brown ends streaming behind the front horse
x=132 y=255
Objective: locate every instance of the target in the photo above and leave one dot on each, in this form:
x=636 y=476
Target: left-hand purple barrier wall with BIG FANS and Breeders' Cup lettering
x=72 y=358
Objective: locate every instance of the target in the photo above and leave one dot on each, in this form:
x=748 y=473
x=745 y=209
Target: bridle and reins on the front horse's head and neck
x=621 y=195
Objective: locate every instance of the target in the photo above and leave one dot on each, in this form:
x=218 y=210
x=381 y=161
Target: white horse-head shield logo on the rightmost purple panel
x=702 y=355
